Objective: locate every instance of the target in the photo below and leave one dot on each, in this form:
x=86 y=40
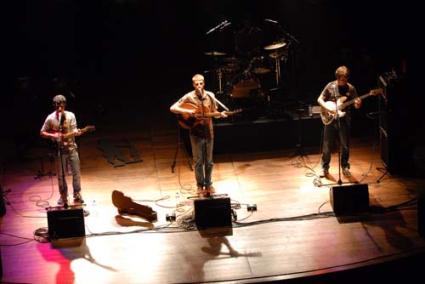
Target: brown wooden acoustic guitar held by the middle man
x=188 y=121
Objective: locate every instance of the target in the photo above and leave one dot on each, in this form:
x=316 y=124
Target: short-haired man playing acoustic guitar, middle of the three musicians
x=200 y=105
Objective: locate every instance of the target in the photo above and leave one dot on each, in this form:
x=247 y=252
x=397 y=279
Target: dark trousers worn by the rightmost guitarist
x=331 y=132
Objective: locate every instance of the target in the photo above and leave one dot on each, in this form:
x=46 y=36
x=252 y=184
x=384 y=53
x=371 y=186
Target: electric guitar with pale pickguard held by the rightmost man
x=340 y=105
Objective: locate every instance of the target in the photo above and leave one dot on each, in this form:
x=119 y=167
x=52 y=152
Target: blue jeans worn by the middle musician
x=202 y=147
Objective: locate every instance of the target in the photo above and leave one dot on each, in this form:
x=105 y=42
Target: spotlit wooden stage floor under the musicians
x=293 y=234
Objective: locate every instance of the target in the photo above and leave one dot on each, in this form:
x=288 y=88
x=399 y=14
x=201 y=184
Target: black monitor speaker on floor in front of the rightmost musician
x=349 y=199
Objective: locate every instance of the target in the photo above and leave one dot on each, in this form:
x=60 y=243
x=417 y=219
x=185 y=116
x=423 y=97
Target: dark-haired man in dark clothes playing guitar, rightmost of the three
x=334 y=94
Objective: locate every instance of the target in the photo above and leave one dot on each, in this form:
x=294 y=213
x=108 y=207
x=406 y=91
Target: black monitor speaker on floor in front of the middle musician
x=213 y=212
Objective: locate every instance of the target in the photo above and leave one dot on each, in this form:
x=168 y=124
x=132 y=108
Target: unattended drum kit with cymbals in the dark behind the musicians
x=248 y=74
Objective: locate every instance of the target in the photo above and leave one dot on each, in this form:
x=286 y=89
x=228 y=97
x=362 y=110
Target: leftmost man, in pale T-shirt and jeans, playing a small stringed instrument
x=61 y=126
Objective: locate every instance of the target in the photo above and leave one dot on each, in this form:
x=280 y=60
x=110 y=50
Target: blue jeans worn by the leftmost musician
x=72 y=159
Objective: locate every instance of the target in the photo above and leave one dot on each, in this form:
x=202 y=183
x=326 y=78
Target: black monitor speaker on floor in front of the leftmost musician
x=65 y=223
